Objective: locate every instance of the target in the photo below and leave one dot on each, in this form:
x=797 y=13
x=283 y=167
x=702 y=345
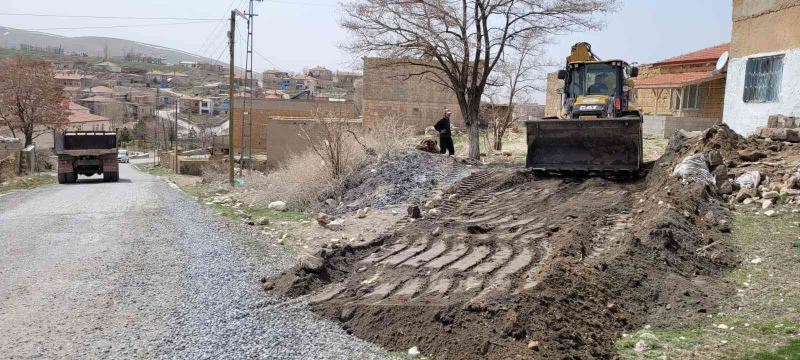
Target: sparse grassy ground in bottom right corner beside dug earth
x=760 y=320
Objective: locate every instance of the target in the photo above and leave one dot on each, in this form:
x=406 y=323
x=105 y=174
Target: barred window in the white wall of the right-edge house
x=762 y=82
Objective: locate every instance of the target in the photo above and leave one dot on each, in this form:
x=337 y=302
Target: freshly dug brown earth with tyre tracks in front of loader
x=516 y=266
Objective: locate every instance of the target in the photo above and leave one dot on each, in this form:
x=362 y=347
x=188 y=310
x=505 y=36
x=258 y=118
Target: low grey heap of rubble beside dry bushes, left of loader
x=405 y=176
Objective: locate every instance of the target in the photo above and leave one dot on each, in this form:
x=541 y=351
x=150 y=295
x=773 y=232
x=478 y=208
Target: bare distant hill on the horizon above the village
x=92 y=45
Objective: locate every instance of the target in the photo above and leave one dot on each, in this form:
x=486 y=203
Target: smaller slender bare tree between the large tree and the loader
x=516 y=76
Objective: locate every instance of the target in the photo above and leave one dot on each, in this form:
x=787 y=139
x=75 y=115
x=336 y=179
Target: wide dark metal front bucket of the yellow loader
x=585 y=145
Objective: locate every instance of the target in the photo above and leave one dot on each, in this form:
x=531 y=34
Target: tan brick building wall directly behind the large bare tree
x=417 y=100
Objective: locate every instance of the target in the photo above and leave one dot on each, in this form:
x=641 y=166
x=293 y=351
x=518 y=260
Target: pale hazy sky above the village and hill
x=297 y=34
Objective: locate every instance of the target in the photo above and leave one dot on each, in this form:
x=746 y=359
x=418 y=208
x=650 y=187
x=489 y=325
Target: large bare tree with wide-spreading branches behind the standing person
x=458 y=43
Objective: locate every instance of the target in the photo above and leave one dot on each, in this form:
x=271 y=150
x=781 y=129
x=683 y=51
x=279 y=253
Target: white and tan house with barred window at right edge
x=764 y=63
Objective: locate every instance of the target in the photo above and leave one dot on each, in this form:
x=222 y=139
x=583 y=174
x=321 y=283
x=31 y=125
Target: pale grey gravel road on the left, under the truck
x=138 y=269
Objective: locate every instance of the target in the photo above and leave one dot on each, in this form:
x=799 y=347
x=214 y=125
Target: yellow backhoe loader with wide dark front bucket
x=596 y=130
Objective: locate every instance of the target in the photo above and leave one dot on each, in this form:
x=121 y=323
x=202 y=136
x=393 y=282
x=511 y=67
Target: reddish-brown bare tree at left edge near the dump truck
x=30 y=98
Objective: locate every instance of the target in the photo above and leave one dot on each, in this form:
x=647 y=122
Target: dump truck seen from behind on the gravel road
x=86 y=153
